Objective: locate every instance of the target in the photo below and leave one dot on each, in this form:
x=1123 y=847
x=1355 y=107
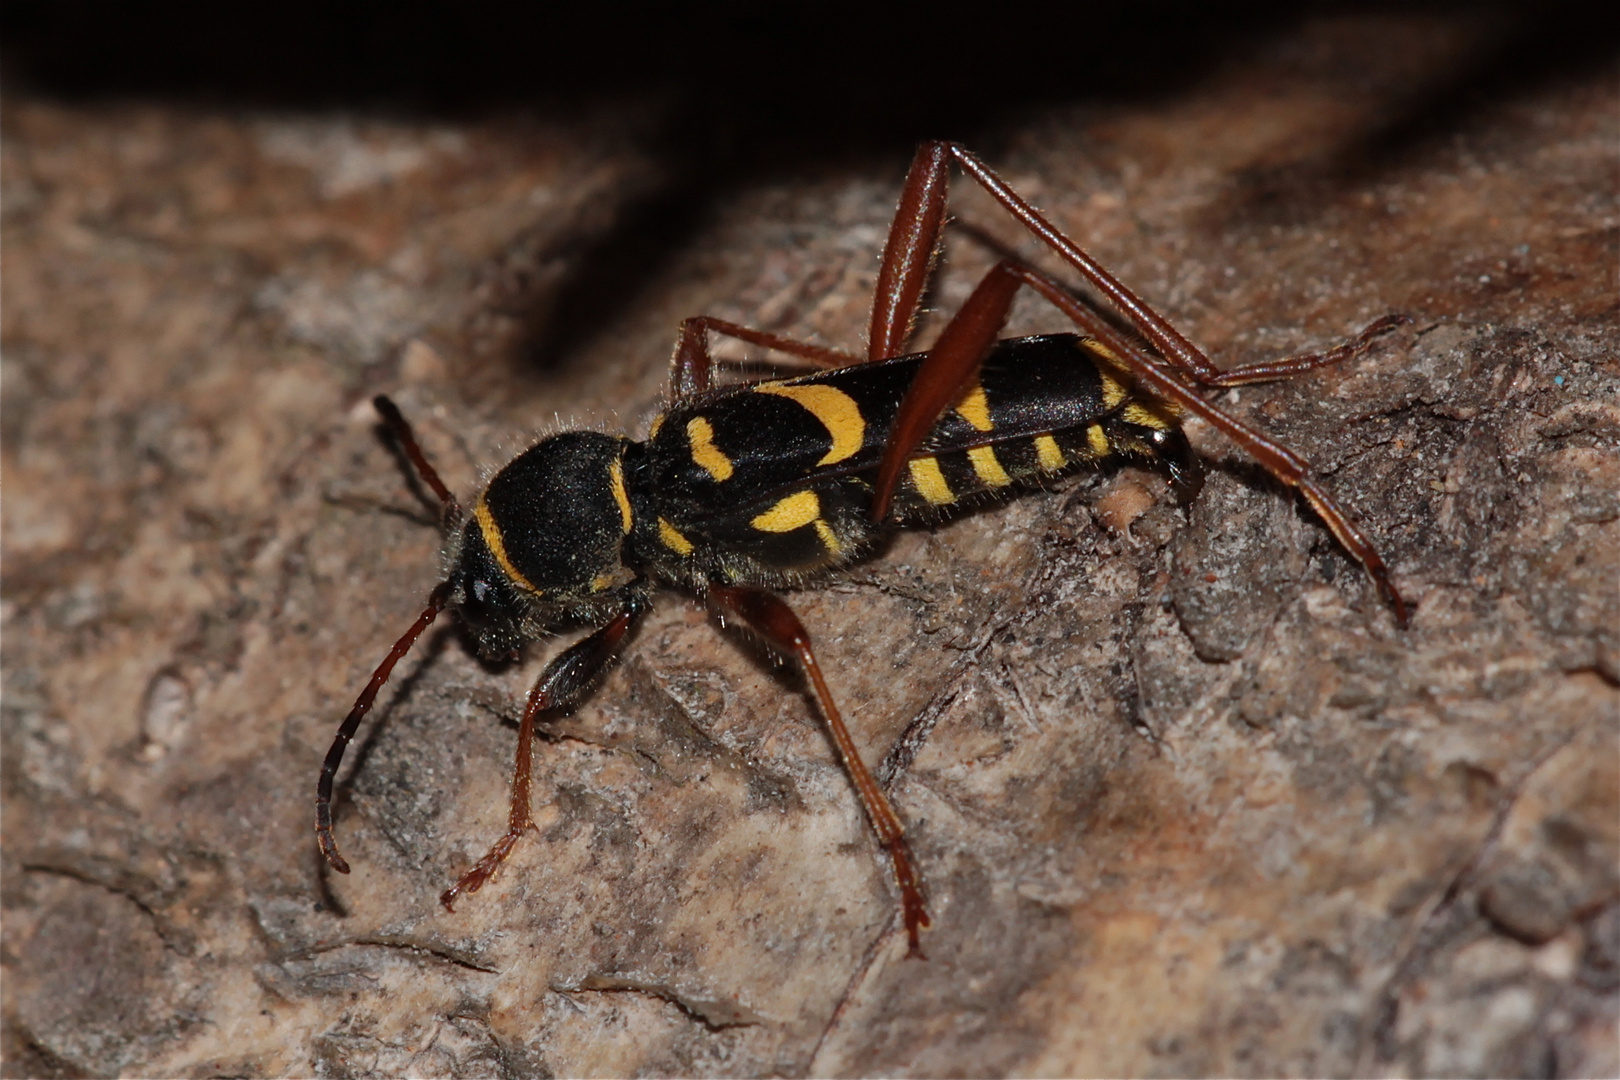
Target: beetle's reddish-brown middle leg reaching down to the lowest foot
x=772 y=619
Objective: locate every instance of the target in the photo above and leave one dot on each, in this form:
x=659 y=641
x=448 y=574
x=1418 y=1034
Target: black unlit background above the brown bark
x=751 y=87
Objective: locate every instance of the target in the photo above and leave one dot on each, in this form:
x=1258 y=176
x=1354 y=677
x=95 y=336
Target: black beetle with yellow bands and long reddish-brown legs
x=749 y=488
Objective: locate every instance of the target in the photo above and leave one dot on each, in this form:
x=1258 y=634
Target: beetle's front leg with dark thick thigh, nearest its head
x=565 y=681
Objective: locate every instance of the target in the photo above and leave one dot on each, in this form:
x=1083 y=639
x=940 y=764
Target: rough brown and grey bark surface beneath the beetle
x=1185 y=797
